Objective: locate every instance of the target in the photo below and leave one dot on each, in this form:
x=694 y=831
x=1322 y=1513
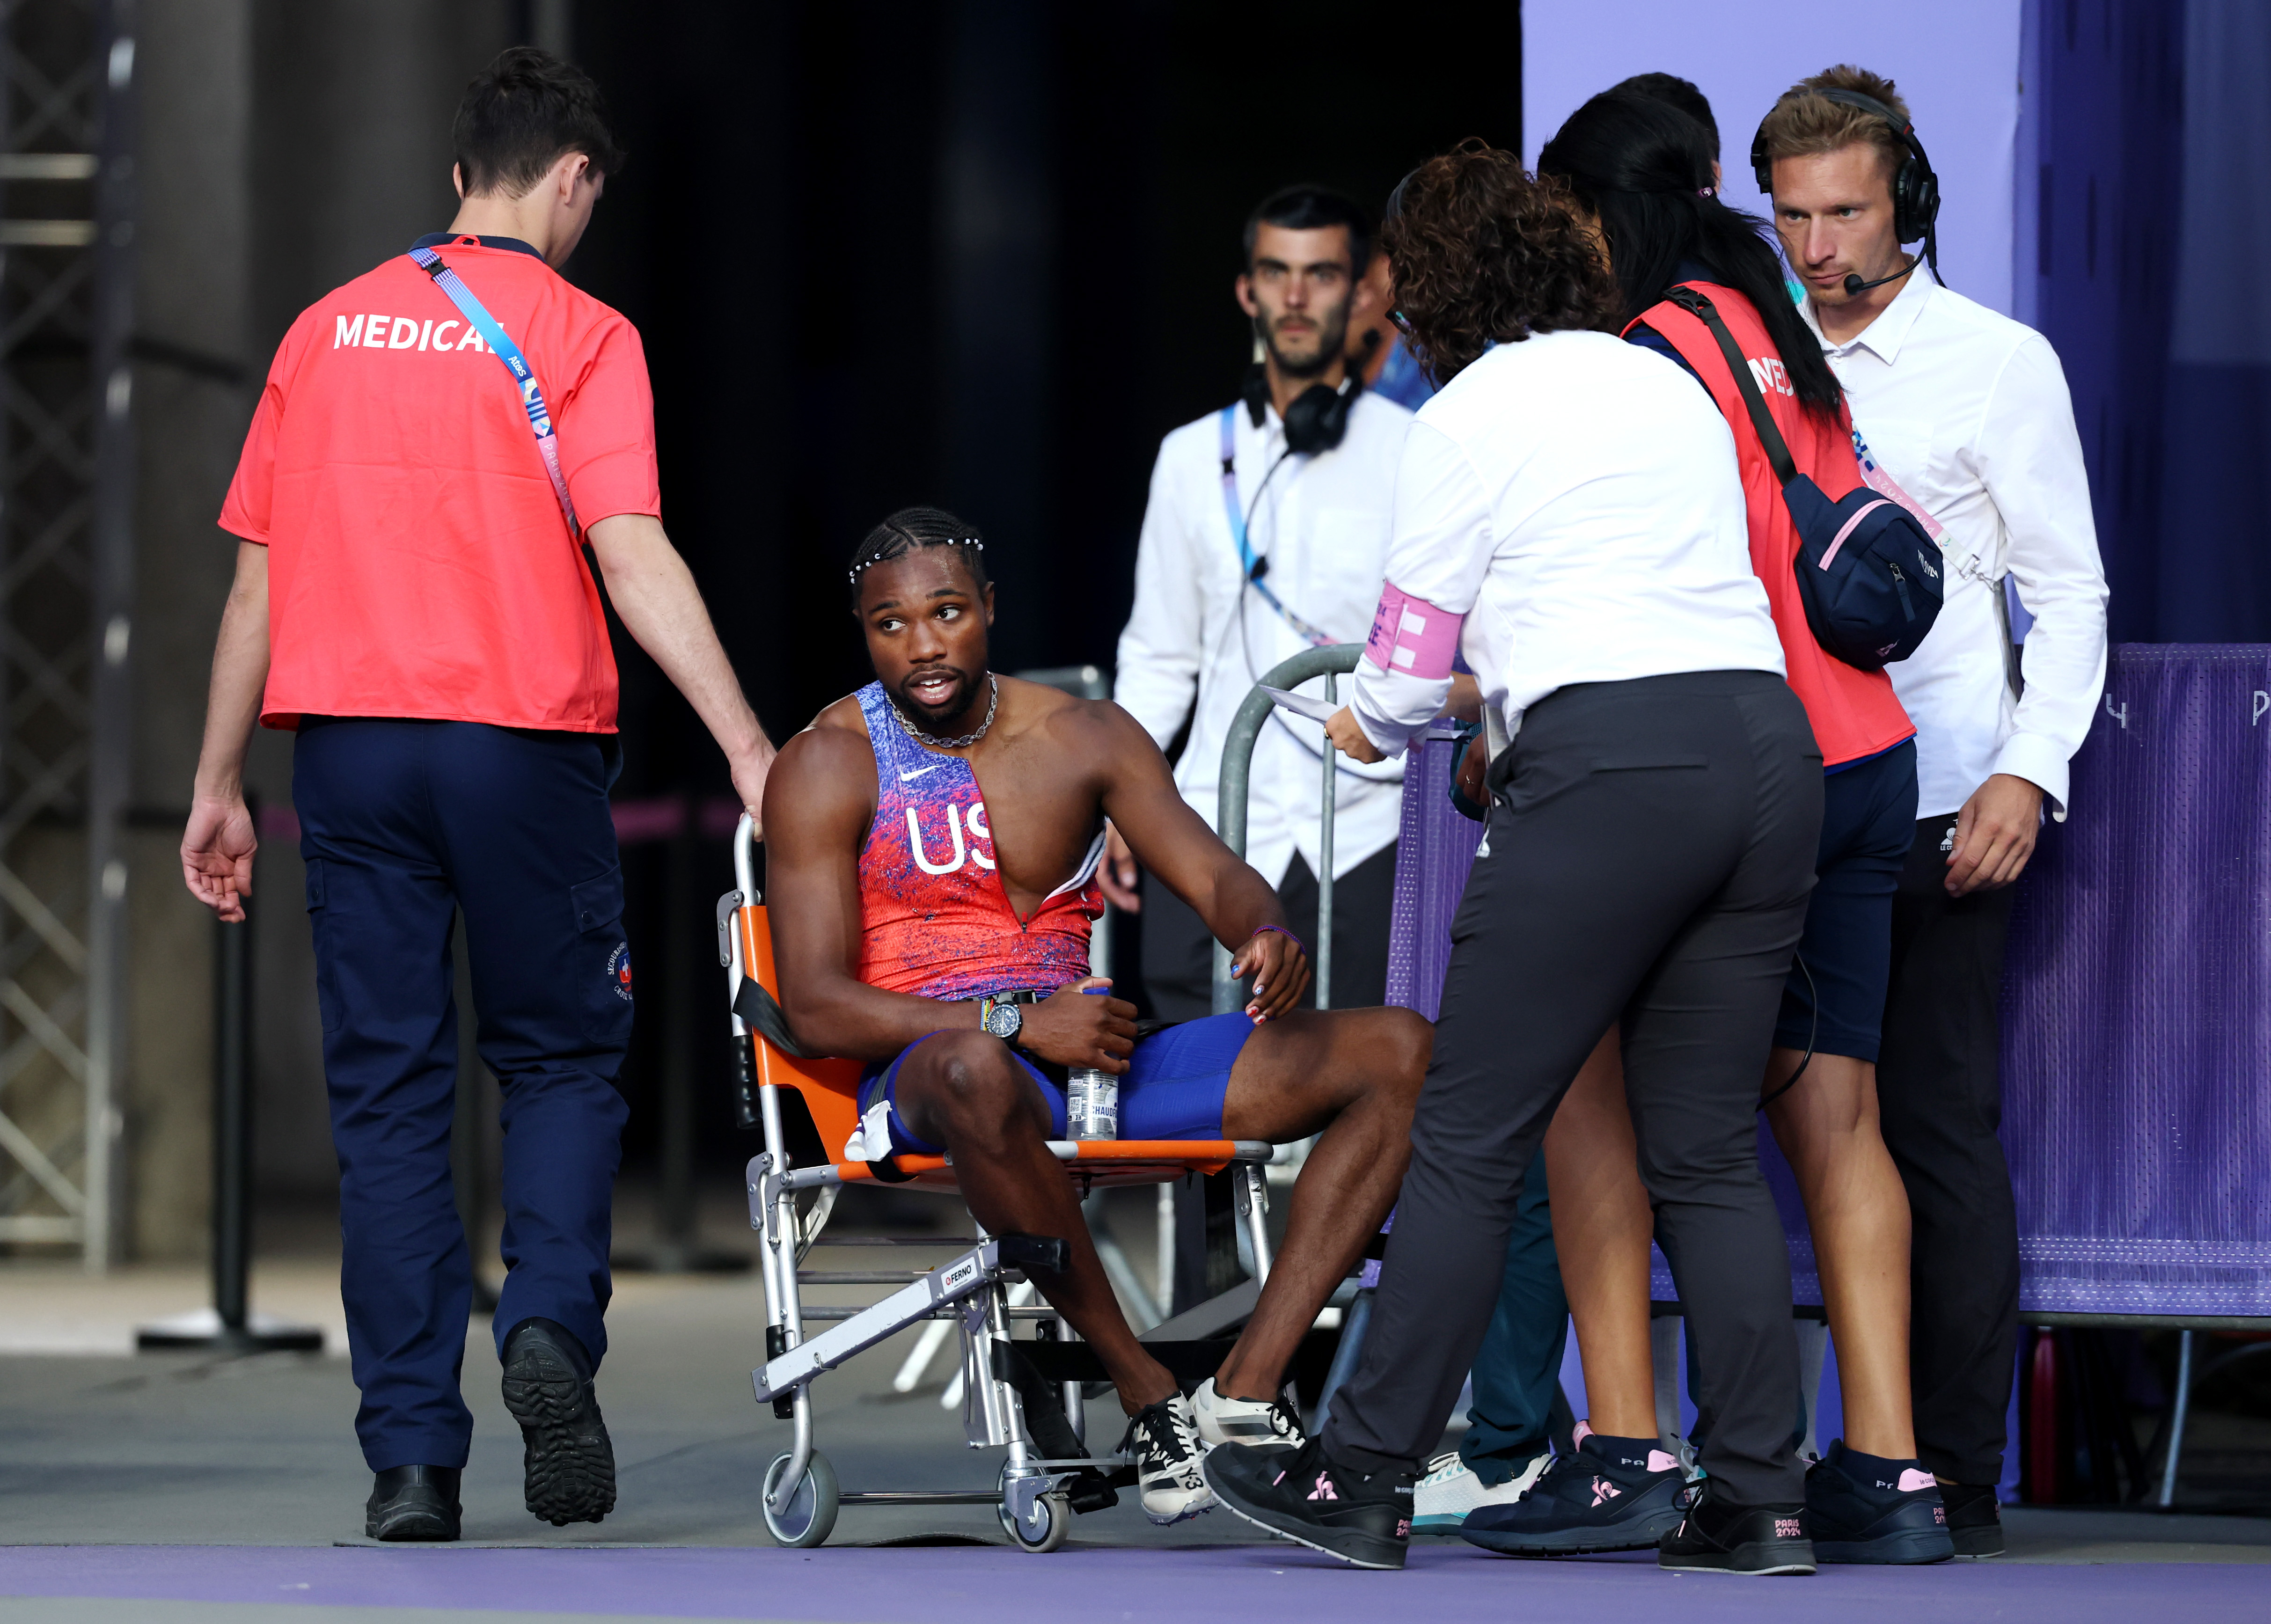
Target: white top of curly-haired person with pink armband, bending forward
x=1577 y=501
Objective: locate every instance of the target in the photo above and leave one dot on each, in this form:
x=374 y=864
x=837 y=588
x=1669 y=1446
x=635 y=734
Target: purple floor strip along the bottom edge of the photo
x=1191 y=1587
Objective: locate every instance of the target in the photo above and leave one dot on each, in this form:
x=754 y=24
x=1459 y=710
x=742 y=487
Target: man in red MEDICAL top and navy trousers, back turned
x=412 y=596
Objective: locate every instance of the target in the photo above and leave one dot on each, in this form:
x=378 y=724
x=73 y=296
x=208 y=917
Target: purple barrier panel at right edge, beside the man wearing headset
x=2138 y=1003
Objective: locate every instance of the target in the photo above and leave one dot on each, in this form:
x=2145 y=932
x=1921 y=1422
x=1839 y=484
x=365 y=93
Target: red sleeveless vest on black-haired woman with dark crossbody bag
x=1854 y=712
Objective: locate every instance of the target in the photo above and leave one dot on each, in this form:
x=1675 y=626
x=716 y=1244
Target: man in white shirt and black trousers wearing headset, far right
x=1963 y=417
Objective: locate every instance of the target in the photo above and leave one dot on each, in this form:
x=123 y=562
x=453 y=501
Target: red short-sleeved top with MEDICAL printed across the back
x=419 y=562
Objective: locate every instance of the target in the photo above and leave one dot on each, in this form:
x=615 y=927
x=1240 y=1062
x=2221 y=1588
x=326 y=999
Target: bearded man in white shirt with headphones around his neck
x=1266 y=535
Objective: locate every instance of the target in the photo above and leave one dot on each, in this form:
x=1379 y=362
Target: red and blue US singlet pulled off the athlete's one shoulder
x=935 y=916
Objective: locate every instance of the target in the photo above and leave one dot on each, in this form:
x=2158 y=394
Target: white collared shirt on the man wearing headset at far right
x=1970 y=415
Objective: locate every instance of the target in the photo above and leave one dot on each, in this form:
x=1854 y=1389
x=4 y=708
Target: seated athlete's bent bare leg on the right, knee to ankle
x=1355 y=1075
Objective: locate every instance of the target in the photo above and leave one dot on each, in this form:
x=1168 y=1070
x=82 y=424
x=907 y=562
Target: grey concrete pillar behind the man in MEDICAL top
x=287 y=147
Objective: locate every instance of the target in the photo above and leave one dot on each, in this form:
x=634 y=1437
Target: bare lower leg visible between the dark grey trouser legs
x=1602 y=1230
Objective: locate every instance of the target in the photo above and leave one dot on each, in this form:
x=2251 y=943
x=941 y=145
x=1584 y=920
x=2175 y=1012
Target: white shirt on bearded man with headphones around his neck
x=1323 y=524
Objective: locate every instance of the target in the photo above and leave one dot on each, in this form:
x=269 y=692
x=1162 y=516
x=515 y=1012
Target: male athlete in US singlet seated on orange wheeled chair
x=912 y=905
